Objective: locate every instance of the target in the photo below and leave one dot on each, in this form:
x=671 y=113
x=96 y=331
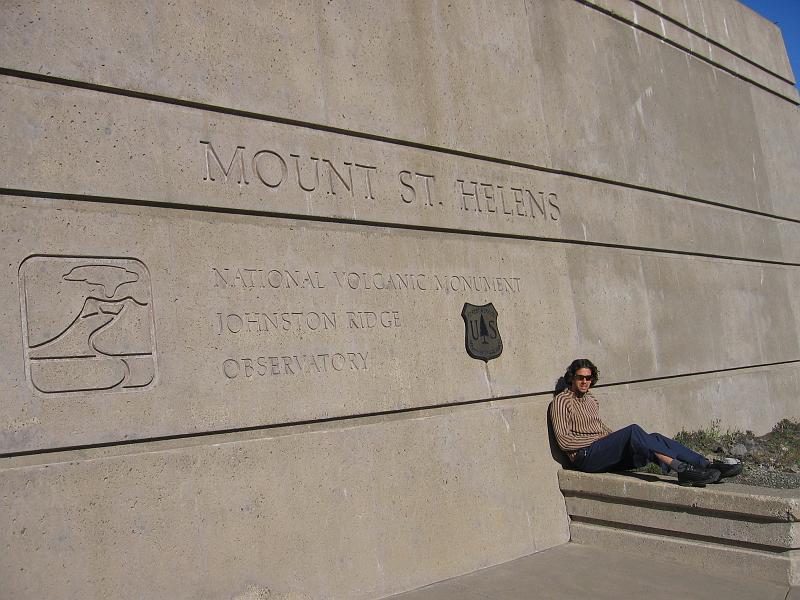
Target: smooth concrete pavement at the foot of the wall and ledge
x=575 y=571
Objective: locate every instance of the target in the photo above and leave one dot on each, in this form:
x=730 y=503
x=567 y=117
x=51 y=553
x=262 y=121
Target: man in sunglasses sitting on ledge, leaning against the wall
x=594 y=448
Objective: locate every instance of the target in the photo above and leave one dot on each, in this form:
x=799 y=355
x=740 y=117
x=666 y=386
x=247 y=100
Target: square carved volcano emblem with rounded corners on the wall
x=87 y=324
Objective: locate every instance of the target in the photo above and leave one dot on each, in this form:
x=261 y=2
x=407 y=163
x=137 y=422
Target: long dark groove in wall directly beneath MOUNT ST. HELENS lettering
x=39 y=194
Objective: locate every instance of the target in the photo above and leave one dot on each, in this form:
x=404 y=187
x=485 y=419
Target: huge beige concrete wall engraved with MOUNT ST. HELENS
x=238 y=238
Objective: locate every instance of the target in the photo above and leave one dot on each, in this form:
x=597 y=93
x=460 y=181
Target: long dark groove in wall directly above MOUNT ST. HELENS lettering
x=374 y=137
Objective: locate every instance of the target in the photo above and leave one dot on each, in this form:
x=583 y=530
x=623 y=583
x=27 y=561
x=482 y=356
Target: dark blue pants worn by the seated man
x=630 y=448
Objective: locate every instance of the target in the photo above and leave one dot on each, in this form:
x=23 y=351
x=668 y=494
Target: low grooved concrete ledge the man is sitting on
x=726 y=529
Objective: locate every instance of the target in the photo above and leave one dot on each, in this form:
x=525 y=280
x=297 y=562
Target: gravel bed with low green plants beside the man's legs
x=771 y=460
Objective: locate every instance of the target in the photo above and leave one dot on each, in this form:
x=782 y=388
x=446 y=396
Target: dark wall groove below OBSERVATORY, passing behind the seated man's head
x=348 y=419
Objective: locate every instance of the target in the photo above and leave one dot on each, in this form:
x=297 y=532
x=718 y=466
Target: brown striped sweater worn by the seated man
x=576 y=421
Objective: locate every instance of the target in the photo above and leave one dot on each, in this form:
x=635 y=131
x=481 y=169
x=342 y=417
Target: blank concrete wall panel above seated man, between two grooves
x=681 y=312
